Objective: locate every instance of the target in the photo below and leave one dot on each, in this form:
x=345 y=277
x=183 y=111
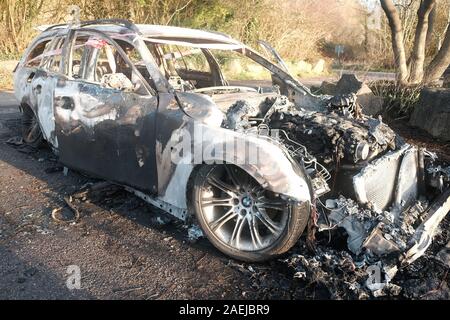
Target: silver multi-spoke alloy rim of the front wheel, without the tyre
x=239 y=212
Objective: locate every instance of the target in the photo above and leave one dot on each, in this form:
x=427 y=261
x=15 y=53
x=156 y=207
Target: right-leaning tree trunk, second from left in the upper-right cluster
x=418 y=53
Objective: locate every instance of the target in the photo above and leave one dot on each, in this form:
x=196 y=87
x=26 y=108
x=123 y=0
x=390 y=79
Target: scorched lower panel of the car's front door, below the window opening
x=107 y=133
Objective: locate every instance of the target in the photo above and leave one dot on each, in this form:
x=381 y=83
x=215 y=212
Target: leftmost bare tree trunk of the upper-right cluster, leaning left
x=398 y=46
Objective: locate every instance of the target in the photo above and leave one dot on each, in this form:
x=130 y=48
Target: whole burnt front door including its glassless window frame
x=105 y=114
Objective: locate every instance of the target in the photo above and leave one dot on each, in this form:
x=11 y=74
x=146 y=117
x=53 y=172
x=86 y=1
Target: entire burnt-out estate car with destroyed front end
x=212 y=132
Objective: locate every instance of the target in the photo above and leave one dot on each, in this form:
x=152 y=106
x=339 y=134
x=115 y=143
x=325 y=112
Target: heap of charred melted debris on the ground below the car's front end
x=332 y=272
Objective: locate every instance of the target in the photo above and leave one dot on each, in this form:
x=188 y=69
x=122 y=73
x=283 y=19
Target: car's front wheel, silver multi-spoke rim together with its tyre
x=242 y=219
